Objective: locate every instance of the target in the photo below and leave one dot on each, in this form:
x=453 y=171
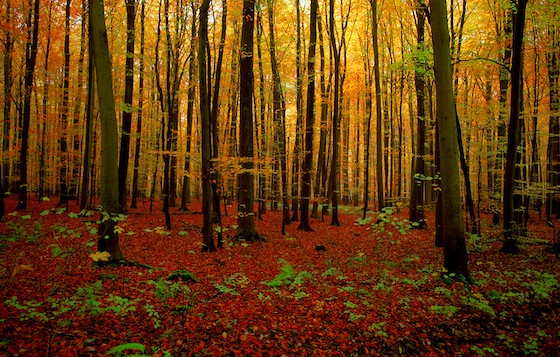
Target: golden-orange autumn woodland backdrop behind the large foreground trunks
x=384 y=126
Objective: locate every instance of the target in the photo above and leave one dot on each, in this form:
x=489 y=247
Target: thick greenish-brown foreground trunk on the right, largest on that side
x=455 y=252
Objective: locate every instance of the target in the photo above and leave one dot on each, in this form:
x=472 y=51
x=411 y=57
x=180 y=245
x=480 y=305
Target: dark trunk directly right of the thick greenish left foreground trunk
x=127 y=111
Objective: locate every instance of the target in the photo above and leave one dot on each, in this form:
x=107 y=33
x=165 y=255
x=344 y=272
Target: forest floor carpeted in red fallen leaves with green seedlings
x=375 y=289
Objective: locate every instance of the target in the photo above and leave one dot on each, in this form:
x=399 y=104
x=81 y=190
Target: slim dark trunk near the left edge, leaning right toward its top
x=30 y=61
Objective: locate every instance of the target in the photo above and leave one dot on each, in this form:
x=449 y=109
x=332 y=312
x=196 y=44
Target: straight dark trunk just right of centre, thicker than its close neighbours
x=309 y=121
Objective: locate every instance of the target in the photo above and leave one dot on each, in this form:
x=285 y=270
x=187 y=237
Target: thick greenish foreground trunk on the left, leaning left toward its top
x=108 y=238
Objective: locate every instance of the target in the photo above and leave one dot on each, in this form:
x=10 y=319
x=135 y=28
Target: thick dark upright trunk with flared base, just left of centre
x=246 y=200
